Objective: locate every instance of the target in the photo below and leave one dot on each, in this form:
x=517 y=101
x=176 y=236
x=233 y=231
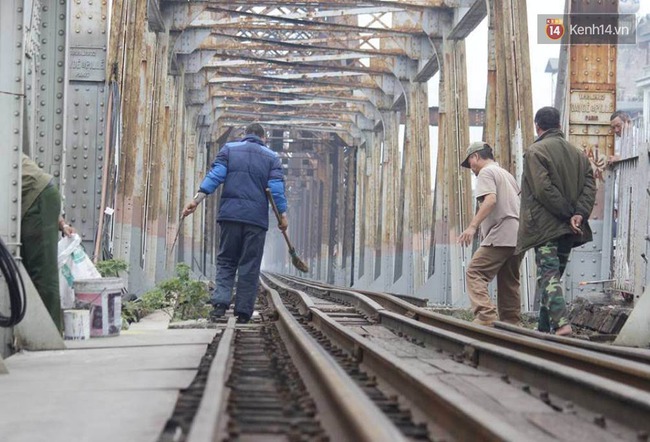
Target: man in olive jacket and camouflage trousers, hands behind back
x=558 y=192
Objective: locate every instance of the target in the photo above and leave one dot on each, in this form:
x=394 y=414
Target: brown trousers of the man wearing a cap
x=487 y=263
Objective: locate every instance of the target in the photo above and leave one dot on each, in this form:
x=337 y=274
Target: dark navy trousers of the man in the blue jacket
x=240 y=252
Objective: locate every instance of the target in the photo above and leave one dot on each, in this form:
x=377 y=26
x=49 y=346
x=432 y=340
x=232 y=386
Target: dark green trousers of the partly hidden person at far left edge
x=39 y=234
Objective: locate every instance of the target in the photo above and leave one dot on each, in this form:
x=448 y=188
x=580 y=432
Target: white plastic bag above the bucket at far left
x=73 y=264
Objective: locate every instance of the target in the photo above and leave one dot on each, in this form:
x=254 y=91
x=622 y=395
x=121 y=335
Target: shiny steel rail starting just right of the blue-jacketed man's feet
x=345 y=410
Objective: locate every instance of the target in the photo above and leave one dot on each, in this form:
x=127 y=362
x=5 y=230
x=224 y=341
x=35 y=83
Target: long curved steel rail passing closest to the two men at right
x=597 y=359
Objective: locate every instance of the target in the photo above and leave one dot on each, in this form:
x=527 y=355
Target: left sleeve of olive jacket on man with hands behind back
x=543 y=188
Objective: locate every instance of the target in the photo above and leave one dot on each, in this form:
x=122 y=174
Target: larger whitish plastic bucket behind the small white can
x=103 y=297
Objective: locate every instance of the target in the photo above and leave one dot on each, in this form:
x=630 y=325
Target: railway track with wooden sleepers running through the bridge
x=324 y=363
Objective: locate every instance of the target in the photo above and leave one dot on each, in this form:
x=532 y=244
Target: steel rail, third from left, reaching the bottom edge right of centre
x=456 y=414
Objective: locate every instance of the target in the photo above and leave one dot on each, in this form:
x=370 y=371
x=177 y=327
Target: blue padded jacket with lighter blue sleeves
x=246 y=168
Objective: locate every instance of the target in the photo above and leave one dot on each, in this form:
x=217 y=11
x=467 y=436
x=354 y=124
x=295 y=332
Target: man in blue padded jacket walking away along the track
x=245 y=168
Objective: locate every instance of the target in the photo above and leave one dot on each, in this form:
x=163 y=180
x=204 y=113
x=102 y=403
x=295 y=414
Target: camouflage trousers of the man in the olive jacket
x=551 y=259
